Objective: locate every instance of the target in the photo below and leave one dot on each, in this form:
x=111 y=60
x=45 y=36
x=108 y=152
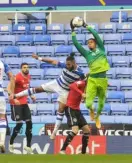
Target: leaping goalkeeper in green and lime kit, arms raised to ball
x=98 y=64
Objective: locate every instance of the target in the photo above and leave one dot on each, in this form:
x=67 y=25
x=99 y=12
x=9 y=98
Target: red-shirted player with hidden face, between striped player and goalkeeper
x=75 y=119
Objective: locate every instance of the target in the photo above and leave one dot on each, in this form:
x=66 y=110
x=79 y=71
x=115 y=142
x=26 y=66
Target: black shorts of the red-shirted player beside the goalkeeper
x=75 y=118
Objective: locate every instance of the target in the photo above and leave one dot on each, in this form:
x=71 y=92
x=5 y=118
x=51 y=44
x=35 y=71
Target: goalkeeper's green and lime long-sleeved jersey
x=96 y=59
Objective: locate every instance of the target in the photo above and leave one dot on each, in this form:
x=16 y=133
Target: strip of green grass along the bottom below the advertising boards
x=65 y=158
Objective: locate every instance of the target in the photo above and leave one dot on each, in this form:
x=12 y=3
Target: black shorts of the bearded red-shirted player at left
x=20 y=112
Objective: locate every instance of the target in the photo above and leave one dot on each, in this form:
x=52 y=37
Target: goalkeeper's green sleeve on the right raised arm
x=97 y=38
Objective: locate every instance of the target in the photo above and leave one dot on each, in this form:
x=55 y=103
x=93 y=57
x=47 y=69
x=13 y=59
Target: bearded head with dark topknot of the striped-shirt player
x=70 y=62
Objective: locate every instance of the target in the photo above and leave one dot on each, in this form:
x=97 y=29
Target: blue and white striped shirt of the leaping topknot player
x=67 y=77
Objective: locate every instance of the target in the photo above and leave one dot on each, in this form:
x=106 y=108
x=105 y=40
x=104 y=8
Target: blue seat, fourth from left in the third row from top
x=61 y=39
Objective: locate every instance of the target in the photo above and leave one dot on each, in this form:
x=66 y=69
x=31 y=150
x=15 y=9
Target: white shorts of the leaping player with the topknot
x=54 y=87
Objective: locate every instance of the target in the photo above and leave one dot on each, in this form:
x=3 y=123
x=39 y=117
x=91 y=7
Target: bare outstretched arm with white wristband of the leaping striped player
x=47 y=60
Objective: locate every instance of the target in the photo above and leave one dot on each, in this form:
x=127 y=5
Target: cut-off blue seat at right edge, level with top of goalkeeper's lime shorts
x=126 y=85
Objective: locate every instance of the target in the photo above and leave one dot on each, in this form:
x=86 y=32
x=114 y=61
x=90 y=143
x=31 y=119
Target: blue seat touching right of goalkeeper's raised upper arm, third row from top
x=112 y=39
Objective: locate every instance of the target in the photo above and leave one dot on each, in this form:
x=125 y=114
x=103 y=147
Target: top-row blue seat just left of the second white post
x=37 y=17
